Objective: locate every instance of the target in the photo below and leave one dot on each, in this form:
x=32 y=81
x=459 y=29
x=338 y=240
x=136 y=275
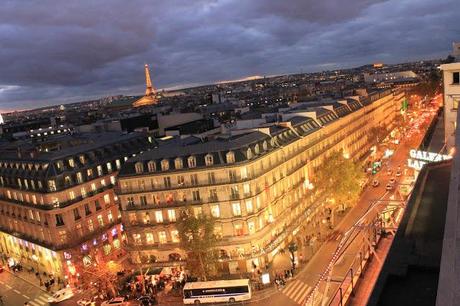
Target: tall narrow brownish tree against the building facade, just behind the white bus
x=197 y=238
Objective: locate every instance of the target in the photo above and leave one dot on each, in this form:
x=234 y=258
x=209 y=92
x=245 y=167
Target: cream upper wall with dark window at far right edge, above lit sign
x=451 y=80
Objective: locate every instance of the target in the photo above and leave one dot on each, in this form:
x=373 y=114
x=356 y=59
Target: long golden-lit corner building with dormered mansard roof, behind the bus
x=255 y=182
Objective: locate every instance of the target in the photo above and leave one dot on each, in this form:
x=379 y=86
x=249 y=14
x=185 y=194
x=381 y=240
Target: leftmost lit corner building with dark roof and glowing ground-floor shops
x=58 y=209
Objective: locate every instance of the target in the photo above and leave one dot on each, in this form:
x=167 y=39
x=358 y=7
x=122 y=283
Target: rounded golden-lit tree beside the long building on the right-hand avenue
x=340 y=178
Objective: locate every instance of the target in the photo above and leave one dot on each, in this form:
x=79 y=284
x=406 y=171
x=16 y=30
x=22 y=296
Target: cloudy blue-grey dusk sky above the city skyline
x=54 y=51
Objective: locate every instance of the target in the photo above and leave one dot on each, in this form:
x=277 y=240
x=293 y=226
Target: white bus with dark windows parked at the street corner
x=217 y=291
